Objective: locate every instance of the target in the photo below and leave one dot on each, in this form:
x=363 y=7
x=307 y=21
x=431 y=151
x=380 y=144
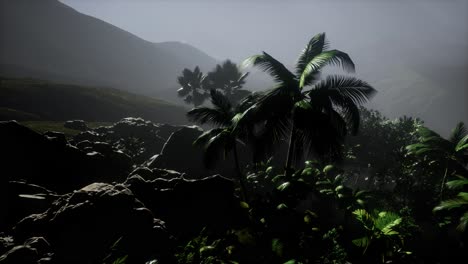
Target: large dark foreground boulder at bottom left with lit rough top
x=82 y=226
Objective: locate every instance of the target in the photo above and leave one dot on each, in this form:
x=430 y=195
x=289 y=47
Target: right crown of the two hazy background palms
x=230 y=80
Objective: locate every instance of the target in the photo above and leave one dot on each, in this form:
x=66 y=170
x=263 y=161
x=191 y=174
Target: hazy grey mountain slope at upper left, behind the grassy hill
x=48 y=40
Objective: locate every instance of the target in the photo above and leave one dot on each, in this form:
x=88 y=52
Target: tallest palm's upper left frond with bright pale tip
x=273 y=67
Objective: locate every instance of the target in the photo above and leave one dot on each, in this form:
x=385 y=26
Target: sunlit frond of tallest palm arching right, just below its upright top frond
x=331 y=57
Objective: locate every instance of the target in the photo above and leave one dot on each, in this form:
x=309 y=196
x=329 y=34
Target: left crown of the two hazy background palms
x=192 y=86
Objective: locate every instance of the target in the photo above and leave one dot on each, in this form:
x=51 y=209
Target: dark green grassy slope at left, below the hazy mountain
x=26 y=99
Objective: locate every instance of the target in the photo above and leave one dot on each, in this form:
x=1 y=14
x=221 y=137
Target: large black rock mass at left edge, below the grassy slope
x=50 y=162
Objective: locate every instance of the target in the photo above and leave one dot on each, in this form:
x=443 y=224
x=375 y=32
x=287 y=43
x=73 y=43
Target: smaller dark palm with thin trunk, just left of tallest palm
x=222 y=139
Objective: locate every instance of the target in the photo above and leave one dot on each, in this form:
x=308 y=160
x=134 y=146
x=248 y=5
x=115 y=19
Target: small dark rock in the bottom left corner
x=34 y=250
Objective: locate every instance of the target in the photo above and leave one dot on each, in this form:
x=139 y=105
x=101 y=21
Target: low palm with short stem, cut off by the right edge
x=448 y=155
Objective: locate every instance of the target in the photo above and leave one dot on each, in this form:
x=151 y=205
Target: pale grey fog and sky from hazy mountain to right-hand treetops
x=415 y=43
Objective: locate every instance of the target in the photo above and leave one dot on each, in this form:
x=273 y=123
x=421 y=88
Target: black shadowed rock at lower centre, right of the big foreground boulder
x=186 y=206
